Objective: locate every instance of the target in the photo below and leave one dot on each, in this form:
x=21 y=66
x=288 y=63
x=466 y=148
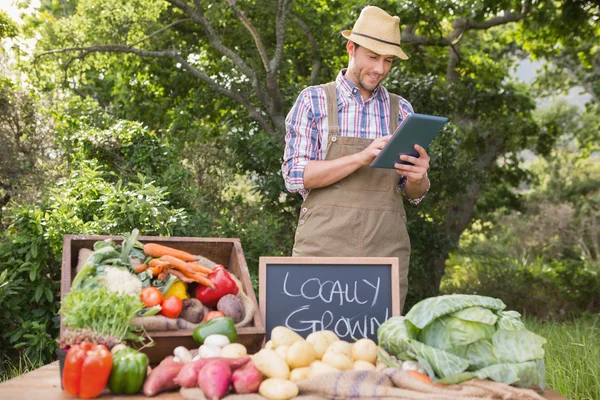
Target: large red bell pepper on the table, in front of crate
x=86 y=371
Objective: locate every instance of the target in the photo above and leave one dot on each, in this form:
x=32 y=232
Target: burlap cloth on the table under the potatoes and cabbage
x=390 y=384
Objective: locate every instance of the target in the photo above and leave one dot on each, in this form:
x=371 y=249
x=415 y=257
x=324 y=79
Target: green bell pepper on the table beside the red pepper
x=128 y=372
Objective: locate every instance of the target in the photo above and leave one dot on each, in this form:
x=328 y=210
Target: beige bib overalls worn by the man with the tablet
x=361 y=215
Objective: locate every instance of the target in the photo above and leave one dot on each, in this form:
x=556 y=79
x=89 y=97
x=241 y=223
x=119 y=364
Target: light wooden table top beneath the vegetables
x=44 y=383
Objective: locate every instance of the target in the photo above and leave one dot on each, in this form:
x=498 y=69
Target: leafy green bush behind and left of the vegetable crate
x=86 y=202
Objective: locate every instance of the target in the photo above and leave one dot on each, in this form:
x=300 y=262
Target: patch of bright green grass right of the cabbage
x=572 y=356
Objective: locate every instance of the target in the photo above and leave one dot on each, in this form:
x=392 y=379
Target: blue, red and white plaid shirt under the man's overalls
x=307 y=130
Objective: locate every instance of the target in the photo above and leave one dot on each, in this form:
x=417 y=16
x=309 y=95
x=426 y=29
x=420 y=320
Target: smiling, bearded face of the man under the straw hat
x=367 y=69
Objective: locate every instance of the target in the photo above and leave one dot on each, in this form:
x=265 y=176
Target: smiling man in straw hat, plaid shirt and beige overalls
x=333 y=133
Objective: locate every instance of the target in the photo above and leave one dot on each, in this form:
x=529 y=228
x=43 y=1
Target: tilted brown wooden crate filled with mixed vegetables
x=222 y=251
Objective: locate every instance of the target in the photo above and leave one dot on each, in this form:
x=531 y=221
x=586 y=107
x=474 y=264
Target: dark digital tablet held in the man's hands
x=415 y=129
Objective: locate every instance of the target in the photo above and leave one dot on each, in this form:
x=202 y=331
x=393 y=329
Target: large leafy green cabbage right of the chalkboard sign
x=460 y=337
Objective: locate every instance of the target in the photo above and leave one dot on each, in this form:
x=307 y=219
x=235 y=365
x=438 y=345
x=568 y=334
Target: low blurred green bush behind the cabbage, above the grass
x=555 y=289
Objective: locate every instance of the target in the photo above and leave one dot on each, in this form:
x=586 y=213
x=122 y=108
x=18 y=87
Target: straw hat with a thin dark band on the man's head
x=378 y=31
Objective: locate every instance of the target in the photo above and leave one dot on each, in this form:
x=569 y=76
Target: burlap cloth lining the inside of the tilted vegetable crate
x=162 y=323
